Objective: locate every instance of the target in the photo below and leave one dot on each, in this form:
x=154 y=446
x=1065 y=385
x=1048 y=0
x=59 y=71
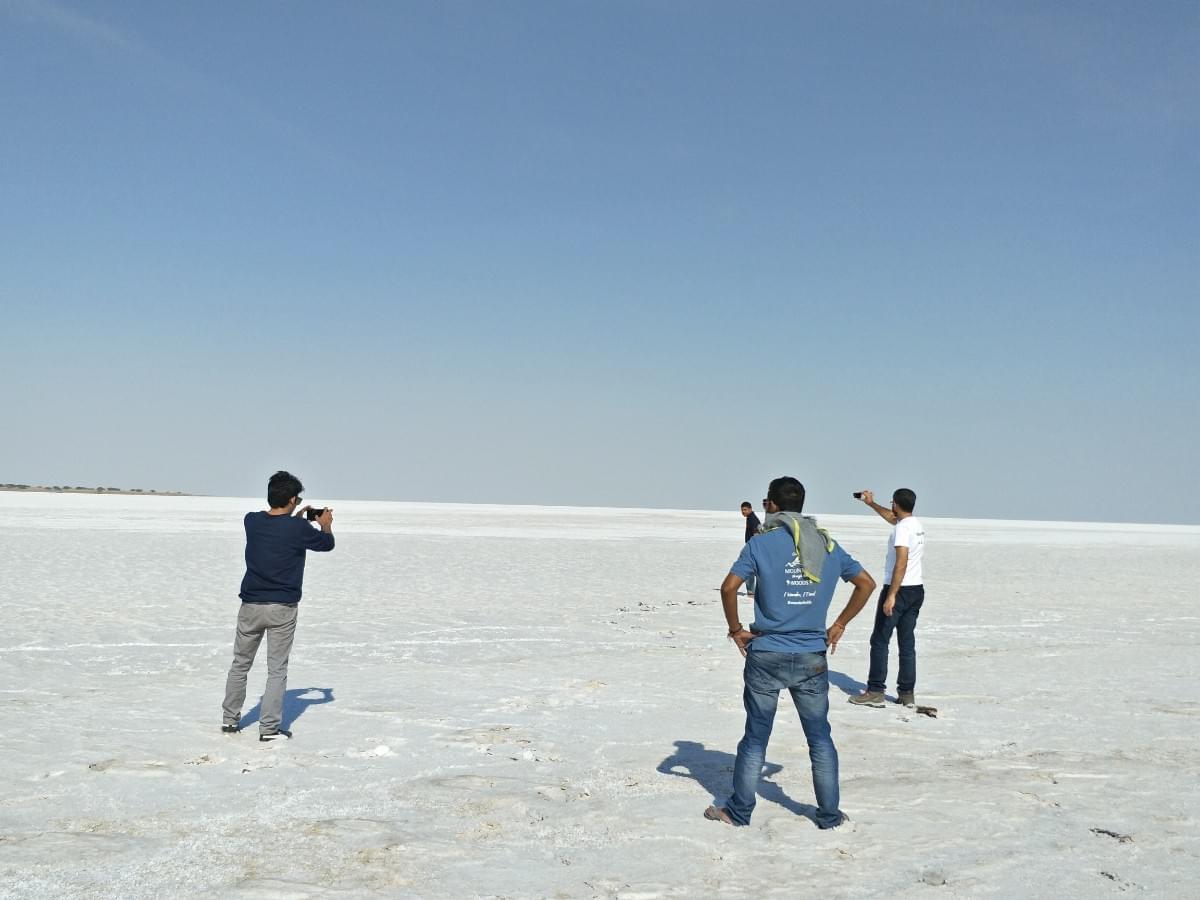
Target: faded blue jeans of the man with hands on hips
x=807 y=676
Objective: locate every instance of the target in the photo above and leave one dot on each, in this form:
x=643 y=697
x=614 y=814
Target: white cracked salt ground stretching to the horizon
x=530 y=739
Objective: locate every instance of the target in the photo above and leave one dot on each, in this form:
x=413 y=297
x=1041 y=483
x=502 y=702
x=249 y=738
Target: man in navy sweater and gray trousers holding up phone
x=277 y=544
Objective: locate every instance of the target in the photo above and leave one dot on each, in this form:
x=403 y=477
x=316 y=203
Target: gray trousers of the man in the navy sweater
x=279 y=623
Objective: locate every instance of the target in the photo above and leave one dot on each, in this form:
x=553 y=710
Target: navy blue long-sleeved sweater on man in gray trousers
x=275 y=553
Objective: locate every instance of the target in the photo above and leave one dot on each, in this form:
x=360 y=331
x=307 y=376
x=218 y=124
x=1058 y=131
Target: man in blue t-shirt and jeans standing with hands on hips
x=797 y=566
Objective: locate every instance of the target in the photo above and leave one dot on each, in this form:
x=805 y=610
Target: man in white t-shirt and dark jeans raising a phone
x=899 y=602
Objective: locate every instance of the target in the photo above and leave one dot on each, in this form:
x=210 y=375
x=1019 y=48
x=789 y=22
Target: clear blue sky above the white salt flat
x=607 y=254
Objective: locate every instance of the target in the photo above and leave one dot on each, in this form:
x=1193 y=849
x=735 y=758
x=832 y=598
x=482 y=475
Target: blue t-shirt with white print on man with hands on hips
x=790 y=610
